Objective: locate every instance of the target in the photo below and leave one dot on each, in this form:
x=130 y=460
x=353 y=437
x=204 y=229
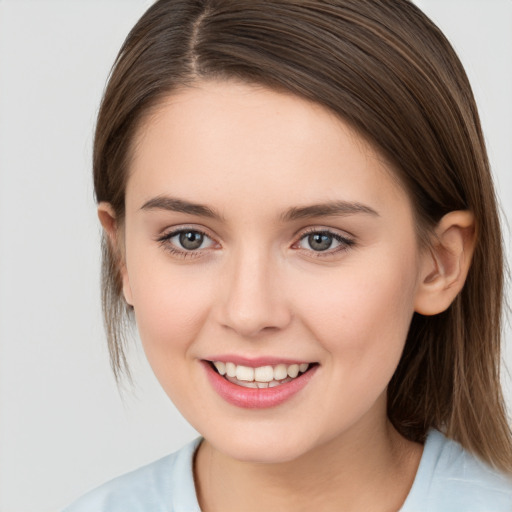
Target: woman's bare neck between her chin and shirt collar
x=370 y=470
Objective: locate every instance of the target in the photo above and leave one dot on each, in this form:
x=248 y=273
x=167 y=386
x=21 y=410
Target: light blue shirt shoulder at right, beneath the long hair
x=450 y=478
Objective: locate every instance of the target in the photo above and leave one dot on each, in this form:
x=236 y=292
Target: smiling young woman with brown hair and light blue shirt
x=299 y=215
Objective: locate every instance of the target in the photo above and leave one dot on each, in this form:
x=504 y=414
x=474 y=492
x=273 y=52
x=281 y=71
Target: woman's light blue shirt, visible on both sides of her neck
x=449 y=479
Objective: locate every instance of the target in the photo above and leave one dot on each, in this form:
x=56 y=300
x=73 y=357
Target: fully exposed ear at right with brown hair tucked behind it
x=445 y=266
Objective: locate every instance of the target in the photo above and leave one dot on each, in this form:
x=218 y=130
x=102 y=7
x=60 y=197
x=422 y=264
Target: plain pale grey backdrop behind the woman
x=64 y=427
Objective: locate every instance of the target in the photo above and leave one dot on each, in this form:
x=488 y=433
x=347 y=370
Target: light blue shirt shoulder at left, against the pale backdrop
x=164 y=485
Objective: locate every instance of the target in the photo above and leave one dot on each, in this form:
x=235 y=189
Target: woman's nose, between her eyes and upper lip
x=254 y=297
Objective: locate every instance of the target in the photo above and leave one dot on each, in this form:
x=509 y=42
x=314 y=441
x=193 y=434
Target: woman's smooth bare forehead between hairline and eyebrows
x=226 y=140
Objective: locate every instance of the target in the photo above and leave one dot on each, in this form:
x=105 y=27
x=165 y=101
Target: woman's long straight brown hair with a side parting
x=387 y=70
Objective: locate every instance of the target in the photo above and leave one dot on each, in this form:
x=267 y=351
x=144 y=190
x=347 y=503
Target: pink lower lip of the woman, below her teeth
x=251 y=398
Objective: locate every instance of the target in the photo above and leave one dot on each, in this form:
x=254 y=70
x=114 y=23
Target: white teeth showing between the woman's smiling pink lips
x=261 y=377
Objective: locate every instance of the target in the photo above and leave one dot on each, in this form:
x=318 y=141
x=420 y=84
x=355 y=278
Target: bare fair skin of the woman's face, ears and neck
x=257 y=288
